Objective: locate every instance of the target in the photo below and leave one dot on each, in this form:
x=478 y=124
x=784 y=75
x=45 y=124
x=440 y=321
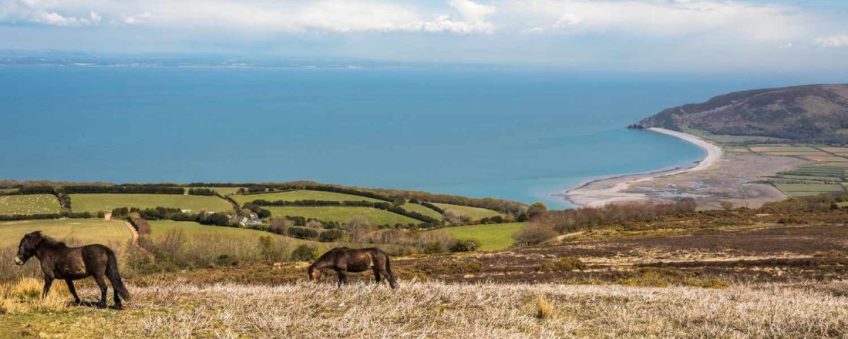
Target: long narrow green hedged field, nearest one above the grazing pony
x=343 y=214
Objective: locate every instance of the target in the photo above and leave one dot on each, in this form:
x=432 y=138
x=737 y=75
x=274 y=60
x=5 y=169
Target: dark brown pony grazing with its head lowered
x=344 y=260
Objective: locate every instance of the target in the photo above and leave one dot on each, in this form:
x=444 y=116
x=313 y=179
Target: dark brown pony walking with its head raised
x=59 y=261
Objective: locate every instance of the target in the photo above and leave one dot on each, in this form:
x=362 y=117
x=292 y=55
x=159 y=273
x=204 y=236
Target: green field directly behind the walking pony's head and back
x=79 y=231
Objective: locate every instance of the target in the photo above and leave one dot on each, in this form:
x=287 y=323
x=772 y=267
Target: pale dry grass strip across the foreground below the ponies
x=456 y=310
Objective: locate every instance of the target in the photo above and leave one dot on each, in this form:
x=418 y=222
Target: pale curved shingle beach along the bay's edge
x=603 y=191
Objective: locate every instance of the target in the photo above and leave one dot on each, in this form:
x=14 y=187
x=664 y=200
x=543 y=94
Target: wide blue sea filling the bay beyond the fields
x=514 y=134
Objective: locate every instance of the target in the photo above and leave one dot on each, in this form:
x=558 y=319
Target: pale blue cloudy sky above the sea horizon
x=634 y=35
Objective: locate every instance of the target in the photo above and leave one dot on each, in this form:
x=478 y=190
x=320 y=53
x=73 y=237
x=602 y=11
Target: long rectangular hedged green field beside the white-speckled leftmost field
x=108 y=202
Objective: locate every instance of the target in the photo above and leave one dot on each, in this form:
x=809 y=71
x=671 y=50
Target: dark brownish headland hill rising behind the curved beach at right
x=810 y=113
